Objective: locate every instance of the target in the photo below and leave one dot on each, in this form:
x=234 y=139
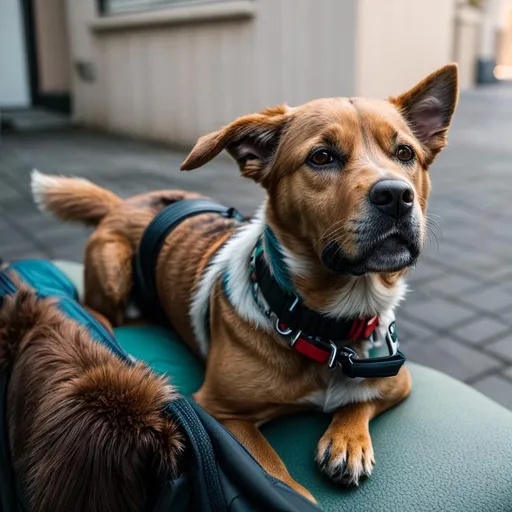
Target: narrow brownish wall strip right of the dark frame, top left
x=52 y=43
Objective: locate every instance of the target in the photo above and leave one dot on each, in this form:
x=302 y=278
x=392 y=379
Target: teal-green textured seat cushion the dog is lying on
x=446 y=448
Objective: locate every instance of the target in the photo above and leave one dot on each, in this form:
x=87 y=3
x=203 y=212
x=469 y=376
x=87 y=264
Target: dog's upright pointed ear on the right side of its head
x=428 y=107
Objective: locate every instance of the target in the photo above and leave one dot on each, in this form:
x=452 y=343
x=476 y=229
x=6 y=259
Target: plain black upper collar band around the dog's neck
x=294 y=314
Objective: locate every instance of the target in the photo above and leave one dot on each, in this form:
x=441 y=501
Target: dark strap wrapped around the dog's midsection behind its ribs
x=152 y=242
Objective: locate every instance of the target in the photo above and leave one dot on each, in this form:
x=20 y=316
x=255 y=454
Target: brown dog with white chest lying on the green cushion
x=345 y=216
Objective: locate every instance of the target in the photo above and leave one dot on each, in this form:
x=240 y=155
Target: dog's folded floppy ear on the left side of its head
x=250 y=140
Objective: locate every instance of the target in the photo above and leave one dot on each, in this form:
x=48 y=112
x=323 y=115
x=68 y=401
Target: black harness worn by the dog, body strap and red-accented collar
x=313 y=334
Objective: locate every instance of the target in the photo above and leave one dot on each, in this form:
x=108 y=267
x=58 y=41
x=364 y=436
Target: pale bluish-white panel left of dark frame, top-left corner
x=14 y=85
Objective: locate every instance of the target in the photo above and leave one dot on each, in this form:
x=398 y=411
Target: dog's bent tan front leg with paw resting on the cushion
x=345 y=451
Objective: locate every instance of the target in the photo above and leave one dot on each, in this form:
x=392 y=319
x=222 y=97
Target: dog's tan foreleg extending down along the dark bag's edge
x=249 y=435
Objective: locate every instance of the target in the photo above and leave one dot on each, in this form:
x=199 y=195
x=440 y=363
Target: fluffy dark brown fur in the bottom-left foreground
x=87 y=431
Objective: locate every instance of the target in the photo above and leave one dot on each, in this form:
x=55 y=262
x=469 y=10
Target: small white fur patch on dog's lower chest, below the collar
x=339 y=391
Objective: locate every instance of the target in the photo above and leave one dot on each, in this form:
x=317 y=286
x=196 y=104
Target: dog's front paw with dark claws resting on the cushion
x=346 y=457
